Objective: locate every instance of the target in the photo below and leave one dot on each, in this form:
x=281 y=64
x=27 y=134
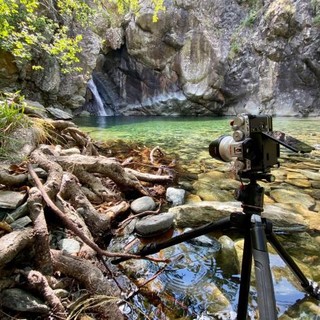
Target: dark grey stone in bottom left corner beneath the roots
x=20 y=300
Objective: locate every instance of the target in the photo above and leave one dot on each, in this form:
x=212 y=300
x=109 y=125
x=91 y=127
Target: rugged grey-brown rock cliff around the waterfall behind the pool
x=200 y=58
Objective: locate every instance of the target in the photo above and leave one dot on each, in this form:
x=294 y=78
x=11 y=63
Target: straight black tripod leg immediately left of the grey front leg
x=245 y=278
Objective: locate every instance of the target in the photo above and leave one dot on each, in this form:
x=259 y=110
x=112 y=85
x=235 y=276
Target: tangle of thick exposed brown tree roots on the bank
x=86 y=196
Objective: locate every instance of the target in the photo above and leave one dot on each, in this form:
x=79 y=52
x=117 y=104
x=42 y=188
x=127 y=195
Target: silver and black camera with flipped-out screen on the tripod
x=254 y=146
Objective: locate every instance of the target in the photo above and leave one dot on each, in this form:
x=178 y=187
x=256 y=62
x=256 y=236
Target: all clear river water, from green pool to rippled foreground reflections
x=189 y=287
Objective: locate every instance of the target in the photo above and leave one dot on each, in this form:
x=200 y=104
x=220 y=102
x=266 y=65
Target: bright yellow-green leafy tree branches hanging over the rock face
x=31 y=28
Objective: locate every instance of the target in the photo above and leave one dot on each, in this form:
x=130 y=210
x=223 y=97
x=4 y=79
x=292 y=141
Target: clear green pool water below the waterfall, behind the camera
x=185 y=138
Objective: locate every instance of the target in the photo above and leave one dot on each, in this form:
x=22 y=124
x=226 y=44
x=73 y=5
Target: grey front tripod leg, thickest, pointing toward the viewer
x=264 y=284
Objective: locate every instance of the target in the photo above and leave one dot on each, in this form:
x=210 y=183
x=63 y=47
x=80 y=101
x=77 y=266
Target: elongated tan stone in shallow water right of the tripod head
x=291 y=196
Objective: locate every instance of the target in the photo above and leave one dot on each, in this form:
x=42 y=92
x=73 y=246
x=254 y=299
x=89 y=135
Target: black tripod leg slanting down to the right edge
x=308 y=285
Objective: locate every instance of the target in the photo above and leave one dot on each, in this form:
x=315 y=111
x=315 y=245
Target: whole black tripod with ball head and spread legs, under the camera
x=256 y=232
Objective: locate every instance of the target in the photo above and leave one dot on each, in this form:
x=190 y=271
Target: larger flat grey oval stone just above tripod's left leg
x=154 y=225
